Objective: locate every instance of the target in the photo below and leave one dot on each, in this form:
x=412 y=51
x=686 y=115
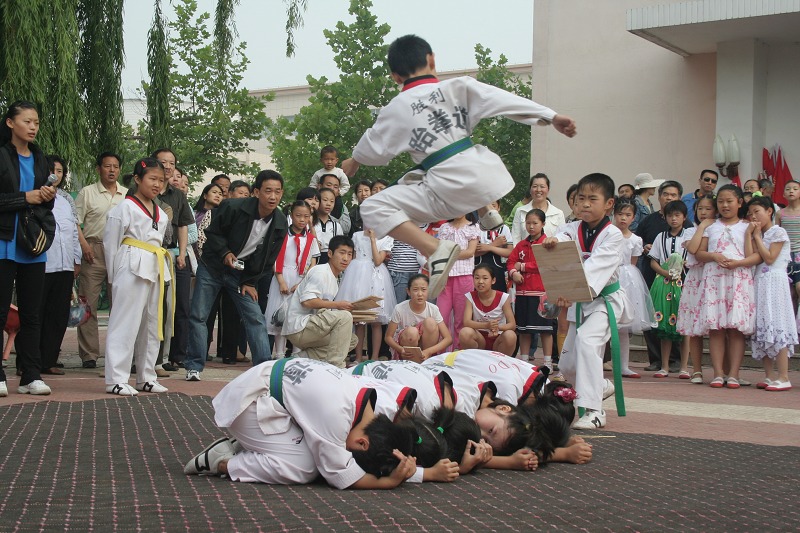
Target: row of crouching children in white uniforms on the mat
x=381 y=423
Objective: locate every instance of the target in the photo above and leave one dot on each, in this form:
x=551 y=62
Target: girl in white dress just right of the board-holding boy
x=632 y=281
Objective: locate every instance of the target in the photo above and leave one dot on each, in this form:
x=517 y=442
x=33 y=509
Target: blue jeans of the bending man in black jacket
x=205 y=292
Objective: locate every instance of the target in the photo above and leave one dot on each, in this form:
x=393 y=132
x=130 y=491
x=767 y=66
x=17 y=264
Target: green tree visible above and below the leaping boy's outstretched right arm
x=508 y=139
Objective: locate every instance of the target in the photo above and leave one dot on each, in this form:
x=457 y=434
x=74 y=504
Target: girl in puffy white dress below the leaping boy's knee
x=368 y=276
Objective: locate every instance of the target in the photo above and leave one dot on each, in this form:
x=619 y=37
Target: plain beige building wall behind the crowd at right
x=638 y=107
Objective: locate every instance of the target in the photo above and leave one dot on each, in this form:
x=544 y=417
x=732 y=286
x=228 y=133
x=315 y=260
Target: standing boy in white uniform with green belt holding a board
x=600 y=244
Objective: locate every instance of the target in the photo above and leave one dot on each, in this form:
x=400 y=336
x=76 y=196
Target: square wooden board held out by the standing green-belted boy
x=562 y=272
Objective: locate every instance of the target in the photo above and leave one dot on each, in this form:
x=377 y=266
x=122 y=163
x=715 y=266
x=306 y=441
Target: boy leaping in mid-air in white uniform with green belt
x=437 y=117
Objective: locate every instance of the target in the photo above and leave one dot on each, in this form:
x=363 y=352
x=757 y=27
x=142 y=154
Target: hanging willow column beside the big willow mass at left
x=100 y=64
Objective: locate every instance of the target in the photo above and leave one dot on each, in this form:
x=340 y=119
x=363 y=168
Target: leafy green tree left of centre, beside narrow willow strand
x=212 y=117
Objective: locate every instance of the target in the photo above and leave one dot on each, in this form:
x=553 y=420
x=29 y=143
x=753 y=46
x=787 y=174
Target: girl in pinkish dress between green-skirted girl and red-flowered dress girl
x=689 y=322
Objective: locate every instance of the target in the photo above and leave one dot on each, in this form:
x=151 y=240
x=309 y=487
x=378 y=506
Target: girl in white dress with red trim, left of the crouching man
x=299 y=252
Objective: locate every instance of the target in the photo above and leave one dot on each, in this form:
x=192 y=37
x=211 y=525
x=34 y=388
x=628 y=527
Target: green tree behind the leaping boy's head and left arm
x=339 y=112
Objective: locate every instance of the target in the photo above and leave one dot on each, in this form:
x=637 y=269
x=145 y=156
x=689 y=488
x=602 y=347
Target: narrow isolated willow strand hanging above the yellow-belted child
x=159 y=88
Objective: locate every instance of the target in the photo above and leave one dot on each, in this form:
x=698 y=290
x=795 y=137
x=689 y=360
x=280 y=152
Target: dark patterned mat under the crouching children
x=117 y=465
